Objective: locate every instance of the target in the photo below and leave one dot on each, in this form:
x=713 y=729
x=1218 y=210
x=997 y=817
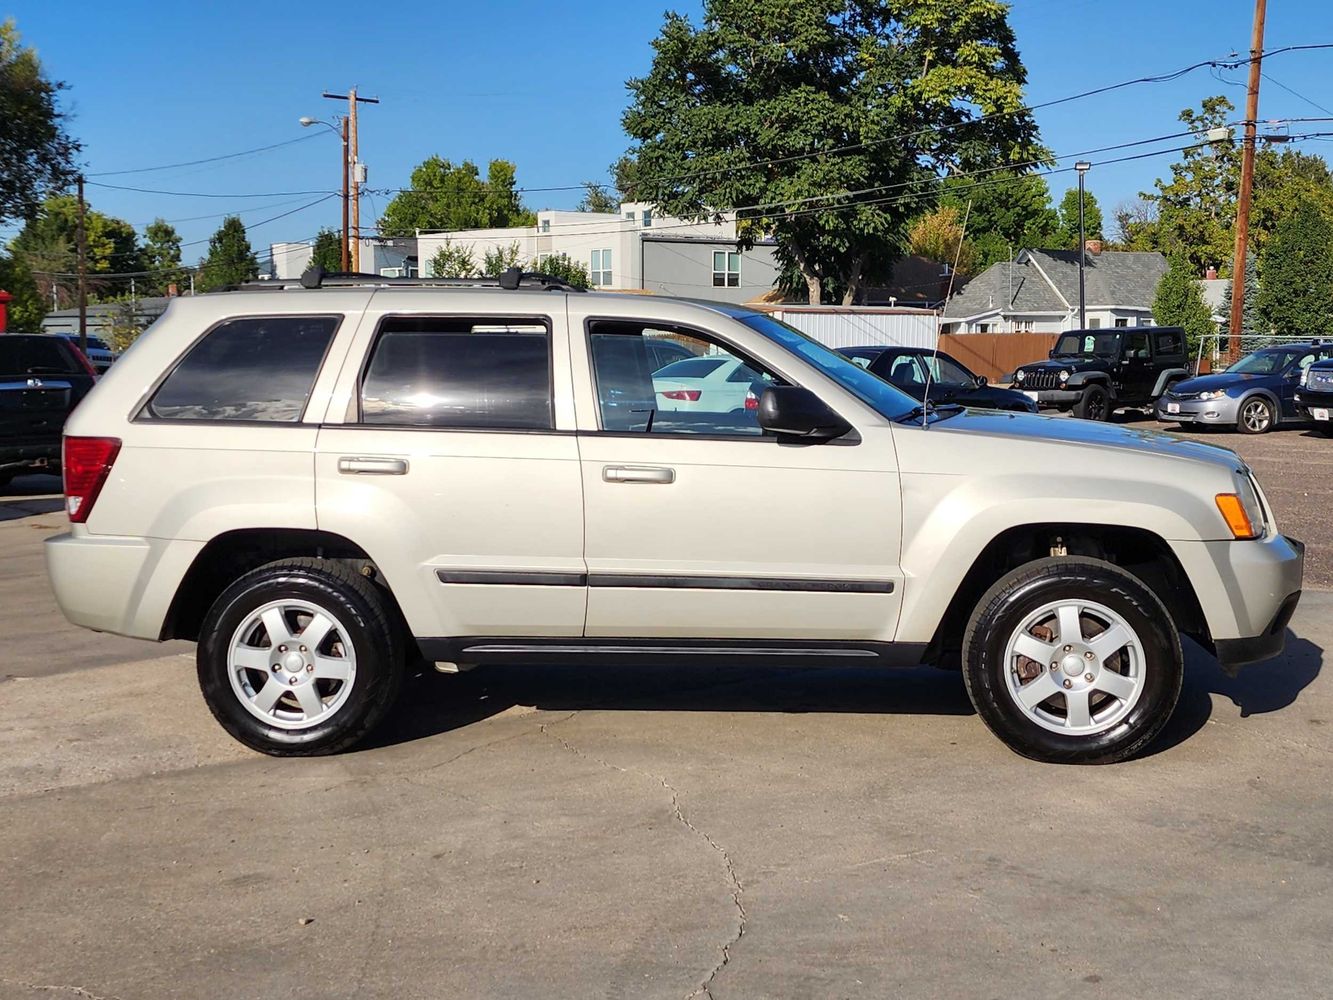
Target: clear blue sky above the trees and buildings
x=543 y=85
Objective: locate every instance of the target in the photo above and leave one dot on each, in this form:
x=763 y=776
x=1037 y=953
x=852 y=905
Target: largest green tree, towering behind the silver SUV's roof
x=774 y=107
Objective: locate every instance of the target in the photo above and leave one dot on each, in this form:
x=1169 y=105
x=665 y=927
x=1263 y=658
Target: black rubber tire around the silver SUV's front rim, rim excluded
x=1003 y=610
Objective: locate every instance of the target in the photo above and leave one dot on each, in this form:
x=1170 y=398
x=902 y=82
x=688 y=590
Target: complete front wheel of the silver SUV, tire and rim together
x=1072 y=661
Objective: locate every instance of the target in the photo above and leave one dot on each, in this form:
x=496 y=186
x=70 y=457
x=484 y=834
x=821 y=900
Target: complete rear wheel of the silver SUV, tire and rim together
x=301 y=658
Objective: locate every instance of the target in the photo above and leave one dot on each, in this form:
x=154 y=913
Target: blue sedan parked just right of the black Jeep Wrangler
x=1255 y=395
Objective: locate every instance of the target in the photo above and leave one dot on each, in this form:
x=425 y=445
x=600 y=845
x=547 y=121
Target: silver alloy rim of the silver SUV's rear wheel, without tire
x=291 y=665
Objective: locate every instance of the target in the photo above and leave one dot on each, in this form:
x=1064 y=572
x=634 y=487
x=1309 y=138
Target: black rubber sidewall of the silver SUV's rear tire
x=241 y=601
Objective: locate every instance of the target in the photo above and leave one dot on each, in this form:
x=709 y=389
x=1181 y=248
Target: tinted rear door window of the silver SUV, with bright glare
x=450 y=371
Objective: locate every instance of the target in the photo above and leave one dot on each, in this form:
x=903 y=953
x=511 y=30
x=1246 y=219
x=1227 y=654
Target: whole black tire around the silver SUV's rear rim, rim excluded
x=370 y=625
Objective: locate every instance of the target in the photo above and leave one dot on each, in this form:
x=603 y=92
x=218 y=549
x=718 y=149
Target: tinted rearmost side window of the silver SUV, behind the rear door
x=254 y=369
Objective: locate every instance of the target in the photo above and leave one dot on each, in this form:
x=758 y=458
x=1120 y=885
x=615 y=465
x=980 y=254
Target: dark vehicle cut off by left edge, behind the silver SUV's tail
x=42 y=381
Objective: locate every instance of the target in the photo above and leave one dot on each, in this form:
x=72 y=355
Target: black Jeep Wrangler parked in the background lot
x=1095 y=373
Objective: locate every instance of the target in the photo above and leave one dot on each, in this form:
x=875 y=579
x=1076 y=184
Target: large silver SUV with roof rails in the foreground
x=319 y=483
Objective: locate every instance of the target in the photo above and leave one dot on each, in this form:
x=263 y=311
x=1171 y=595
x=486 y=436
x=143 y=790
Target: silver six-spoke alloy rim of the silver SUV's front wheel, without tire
x=1075 y=667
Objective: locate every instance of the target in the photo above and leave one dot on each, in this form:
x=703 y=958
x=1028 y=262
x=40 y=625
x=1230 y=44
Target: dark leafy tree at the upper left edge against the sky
x=37 y=153
